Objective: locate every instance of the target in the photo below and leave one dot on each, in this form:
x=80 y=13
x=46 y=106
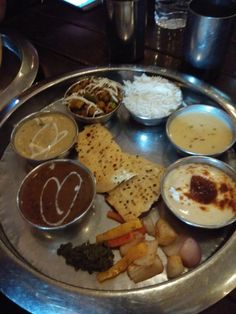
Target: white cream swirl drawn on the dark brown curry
x=59 y=187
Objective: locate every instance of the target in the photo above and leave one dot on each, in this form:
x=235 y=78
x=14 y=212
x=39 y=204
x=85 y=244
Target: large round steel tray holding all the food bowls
x=33 y=275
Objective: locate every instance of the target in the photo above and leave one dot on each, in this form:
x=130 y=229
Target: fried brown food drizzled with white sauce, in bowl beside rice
x=94 y=96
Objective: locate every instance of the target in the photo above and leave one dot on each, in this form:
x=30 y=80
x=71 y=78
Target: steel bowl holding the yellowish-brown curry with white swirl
x=60 y=152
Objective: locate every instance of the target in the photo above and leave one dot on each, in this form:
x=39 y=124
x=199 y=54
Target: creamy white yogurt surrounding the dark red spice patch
x=177 y=185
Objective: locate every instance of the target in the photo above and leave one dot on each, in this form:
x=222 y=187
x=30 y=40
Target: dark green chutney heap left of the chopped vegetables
x=93 y=257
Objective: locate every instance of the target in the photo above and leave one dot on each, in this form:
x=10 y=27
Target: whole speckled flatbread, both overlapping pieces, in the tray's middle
x=131 y=181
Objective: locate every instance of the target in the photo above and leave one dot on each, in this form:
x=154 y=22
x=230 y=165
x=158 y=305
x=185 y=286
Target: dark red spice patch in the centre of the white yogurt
x=202 y=190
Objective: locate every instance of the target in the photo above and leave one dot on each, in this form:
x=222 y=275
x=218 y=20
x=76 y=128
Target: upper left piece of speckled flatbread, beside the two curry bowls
x=102 y=155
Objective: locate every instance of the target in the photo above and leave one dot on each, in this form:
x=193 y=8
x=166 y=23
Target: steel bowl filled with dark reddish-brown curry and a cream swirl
x=56 y=194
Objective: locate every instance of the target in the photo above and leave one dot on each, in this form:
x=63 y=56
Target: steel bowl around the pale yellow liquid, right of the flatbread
x=202 y=109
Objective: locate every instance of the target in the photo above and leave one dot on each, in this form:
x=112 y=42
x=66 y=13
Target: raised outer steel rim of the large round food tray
x=168 y=296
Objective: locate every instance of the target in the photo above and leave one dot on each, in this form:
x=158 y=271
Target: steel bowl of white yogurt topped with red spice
x=177 y=196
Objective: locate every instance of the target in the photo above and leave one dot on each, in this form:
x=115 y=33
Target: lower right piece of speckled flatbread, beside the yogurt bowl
x=136 y=196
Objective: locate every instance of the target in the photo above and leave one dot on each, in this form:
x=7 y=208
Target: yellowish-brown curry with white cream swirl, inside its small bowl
x=45 y=135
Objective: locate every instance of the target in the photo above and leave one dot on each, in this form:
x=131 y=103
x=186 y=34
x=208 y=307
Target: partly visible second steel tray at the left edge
x=18 y=69
